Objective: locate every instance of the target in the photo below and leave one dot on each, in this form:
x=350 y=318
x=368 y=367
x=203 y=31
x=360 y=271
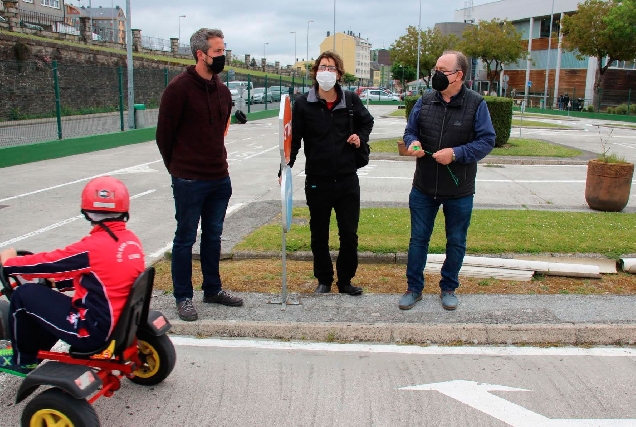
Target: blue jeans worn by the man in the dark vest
x=457 y=214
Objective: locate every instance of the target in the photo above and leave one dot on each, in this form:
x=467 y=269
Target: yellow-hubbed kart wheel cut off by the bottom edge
x=56 y=408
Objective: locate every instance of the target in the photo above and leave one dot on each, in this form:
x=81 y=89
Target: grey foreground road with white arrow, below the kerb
x=249 y=383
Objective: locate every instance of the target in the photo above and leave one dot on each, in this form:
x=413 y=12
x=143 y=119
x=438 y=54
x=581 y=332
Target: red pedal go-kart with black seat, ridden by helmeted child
x=138 y=349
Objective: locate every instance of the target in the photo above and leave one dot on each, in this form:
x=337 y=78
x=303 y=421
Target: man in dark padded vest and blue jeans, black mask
x=449 y=130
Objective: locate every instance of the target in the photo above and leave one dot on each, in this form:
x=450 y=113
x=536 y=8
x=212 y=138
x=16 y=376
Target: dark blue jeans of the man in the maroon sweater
x=206 y=200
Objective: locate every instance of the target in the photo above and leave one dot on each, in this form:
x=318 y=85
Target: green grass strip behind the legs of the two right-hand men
x=387 y=230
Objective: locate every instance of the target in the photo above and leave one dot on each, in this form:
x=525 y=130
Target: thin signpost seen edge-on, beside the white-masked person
x=286 y=191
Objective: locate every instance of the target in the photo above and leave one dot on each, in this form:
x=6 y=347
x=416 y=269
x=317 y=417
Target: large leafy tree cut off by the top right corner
x=605 y=30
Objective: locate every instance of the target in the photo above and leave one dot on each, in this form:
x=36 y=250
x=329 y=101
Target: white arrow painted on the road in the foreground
x=478 y=396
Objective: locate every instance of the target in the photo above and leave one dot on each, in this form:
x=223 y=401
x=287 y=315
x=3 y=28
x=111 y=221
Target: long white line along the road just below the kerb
x=403 y=349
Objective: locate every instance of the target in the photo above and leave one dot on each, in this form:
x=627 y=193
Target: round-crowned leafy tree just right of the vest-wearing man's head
x=495 y=42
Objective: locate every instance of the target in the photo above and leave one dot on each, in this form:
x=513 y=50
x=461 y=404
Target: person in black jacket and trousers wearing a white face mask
x=321 y=118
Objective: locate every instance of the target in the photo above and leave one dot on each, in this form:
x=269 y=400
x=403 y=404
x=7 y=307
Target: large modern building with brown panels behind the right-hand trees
x=565 y=73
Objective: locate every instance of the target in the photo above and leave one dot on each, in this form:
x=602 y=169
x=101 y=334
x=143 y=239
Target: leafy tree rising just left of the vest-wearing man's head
x=432 y=44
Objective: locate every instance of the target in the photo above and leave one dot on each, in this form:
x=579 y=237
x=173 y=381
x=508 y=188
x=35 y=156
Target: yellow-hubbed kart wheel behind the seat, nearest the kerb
x=158 y=358
